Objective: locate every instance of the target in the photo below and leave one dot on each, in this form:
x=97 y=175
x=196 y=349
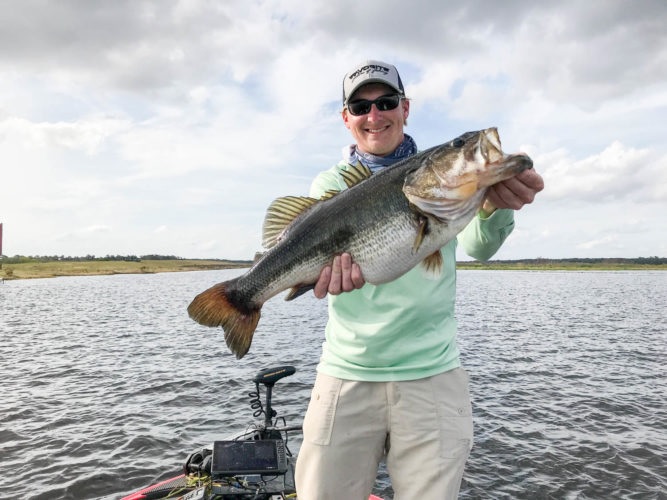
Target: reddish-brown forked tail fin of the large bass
x=217 y=307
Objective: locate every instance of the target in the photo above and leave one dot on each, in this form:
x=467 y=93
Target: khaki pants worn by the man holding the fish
x=423 y=427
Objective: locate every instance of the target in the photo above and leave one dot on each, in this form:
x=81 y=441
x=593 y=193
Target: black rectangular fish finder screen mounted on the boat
x=242 y=458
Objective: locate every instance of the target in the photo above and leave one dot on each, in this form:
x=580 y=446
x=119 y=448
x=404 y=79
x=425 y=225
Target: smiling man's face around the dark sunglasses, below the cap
x=377 y=132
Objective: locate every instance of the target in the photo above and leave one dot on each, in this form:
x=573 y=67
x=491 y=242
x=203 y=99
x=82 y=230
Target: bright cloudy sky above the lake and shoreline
x=167 y=127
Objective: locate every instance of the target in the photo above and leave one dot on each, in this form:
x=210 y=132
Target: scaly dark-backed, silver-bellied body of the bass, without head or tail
x=378 y=221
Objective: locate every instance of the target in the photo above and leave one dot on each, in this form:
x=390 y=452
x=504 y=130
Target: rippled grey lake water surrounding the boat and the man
x=106 y=385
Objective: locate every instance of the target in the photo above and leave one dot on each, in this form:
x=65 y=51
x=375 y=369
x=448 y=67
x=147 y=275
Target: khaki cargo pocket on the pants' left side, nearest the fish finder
x=318 y=423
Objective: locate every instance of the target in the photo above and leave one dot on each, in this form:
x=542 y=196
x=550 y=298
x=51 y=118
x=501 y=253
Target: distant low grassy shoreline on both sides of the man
x=53 y=269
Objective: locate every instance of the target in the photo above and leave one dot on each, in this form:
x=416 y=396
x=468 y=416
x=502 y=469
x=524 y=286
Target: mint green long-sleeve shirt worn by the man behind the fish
x=405 y=329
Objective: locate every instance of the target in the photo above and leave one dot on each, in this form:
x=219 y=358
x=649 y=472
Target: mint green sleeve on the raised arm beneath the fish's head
x=482 y=238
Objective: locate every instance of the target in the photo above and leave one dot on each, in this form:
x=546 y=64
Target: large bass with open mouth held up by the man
x=389 y=222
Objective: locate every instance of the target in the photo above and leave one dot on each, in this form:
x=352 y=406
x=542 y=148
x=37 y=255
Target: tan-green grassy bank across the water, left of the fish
x=98 y=267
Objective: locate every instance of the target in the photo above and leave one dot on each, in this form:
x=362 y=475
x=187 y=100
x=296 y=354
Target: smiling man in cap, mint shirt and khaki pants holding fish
x=389 y=382
